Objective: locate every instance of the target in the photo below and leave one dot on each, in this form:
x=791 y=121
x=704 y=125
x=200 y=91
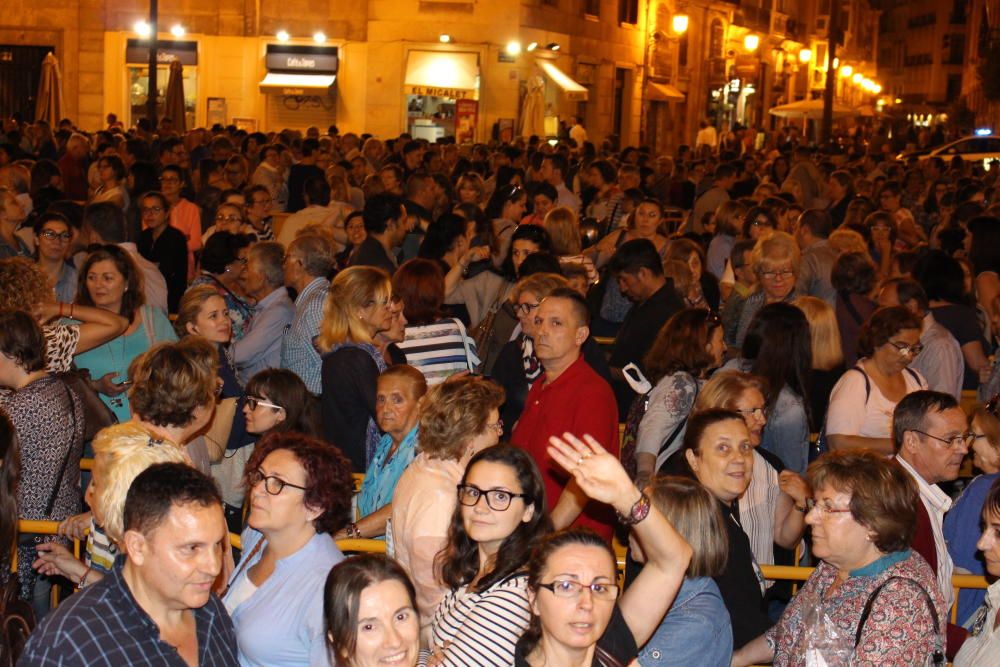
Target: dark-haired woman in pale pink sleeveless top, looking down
x=862 y=402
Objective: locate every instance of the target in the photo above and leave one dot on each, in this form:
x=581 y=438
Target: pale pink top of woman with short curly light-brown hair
x=422 y=507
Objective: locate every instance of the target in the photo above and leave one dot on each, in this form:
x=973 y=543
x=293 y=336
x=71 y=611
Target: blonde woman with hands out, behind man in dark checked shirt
x=121 y=452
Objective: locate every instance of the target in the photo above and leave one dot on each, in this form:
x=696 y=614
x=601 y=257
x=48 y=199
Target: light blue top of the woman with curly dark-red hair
x=281 y=624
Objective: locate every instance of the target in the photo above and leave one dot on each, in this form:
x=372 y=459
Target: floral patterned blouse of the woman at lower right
x=900 y=629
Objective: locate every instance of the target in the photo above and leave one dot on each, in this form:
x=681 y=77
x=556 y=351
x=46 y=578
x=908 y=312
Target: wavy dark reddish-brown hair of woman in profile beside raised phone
x=680 y=345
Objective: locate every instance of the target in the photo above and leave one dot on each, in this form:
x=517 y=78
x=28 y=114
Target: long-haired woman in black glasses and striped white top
x=499 y=518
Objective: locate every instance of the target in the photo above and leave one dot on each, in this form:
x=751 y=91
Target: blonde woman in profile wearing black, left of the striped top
x=358 y=306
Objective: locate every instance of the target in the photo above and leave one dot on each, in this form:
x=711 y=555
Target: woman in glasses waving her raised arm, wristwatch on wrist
x=578 y=617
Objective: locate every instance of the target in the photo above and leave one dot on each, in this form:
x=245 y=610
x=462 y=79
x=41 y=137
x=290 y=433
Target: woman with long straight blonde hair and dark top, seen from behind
x=827 y=353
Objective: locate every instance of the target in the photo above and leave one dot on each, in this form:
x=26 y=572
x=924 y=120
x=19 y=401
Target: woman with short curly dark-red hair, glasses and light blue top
x=299 y=490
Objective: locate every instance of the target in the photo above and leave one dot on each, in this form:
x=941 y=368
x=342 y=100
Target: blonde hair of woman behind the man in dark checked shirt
x=121 y=452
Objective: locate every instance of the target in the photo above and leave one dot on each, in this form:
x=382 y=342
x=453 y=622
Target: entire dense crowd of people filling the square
x=730 y=357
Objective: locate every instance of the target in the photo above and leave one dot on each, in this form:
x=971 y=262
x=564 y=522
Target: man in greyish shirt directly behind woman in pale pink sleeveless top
x=940 y=359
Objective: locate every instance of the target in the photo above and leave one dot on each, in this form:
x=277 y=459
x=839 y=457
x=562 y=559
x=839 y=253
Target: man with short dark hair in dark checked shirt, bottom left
x=156 y=607
